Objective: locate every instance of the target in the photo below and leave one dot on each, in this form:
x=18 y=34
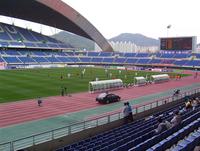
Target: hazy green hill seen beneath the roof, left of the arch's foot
x=74 y=40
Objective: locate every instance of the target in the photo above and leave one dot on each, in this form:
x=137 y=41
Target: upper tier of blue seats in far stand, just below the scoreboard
x=100 y=54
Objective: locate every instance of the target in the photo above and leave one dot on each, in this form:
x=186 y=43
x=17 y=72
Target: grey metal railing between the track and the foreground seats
x=77 y=127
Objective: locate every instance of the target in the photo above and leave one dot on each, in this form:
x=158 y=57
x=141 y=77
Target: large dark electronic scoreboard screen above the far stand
x=181 y=43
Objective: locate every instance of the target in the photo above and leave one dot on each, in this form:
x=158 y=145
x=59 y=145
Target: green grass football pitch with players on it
x=30 y=83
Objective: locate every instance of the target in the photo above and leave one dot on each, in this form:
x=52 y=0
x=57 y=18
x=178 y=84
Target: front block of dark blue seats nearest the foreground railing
x=138 y=135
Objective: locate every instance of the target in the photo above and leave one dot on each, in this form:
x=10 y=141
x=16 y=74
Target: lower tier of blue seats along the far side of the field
x=76 y=59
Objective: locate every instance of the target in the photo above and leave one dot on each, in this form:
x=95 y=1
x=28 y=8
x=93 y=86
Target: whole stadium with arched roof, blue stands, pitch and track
x=48 y=88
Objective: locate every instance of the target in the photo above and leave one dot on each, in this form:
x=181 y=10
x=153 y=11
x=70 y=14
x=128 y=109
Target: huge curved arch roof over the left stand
x=54 y=13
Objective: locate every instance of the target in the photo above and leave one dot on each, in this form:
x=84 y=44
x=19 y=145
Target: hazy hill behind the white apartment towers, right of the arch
x=138 y=39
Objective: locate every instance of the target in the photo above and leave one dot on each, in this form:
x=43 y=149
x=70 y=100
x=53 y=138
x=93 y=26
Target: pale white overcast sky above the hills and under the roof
x=148 y=17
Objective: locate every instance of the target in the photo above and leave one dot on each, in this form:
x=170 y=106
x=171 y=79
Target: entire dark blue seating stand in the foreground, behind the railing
x=140 y=135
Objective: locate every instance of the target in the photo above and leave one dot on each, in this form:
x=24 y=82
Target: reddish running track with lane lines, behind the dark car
x=24 y=111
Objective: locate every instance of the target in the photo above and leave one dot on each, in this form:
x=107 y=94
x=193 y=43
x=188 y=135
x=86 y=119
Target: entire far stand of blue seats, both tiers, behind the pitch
x=93 y=58
